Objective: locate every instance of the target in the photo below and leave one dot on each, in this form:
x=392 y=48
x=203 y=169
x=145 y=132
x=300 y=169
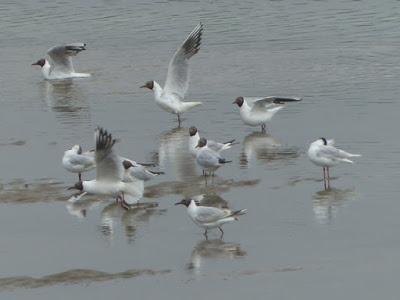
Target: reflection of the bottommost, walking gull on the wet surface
x=212 y=250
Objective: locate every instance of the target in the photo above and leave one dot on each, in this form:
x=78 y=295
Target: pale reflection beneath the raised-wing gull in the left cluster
x=113 y=214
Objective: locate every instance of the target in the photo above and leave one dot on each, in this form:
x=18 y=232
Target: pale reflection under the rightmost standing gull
x=326 y=203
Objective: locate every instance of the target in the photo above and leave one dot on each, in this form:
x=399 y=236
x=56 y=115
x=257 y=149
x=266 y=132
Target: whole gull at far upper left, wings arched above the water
x=59 y=65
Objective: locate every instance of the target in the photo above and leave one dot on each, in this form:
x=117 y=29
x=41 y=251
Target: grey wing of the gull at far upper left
x=61 y=55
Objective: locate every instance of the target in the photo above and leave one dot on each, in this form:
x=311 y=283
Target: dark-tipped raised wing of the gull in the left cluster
x=108 y=163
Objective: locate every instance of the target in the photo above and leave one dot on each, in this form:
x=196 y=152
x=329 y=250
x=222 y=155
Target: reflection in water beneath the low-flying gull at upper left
x=66 y=100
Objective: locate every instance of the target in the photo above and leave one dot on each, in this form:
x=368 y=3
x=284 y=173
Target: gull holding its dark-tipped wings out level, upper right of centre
x=258 y=111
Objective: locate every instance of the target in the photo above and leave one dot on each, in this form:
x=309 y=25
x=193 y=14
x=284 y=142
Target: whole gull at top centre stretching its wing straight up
x=170 y=98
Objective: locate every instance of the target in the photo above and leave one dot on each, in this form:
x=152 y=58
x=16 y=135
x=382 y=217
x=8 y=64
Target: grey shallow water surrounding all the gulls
x=297 y=241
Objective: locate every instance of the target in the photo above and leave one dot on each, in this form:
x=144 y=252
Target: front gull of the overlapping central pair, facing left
x=208 y=159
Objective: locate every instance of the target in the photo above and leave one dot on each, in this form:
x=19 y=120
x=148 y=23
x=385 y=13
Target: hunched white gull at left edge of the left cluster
x=76 y=161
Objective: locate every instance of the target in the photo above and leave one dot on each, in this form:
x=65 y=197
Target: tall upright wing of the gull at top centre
x=177 y=81
